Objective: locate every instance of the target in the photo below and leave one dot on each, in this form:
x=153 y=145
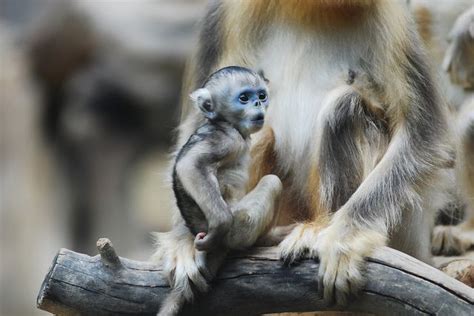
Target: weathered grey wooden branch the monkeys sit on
x=249 y=283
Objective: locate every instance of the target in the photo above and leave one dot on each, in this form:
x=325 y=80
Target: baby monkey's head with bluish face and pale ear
x=236 y=95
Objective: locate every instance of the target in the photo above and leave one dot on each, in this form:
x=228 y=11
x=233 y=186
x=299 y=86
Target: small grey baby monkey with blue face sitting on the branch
x=211 y=173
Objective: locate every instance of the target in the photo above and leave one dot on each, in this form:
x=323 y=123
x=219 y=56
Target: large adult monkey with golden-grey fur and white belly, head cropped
x=360 y=135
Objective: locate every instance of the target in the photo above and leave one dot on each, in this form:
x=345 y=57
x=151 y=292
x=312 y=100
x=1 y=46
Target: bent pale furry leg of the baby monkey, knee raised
x=254 y=214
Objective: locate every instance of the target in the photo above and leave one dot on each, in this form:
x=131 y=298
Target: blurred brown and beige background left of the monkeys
x=89 y=93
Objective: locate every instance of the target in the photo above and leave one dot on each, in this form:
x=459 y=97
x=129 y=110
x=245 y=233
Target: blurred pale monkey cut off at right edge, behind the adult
x=447 y=29
